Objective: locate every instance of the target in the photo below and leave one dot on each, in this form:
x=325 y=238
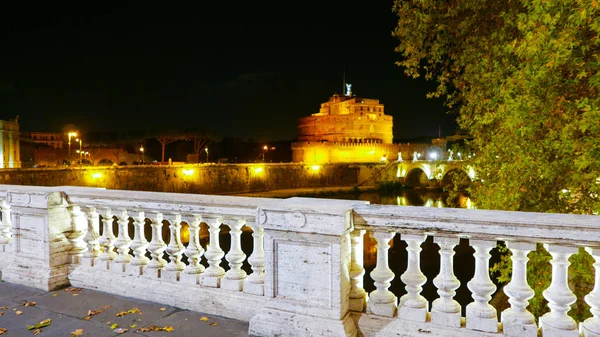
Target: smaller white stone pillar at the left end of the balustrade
x=41 y=224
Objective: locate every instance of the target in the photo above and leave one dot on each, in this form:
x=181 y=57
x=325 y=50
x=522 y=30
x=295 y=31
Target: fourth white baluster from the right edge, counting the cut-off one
x=480 y=314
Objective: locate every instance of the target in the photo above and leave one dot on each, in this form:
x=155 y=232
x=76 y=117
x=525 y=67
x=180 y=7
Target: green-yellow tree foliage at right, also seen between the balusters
x=522 y=77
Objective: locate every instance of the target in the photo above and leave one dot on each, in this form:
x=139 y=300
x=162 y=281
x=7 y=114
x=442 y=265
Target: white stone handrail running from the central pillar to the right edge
x=571 y=229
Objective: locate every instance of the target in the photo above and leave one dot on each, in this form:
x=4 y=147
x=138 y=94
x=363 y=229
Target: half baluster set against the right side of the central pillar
x=358 y=295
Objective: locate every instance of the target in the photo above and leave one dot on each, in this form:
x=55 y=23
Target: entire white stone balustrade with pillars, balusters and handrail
x=303 y=274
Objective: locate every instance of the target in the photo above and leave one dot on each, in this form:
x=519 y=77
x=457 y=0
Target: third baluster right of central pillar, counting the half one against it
x=413 y=306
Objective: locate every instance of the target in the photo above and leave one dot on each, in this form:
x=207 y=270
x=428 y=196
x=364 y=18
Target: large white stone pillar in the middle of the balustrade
x=307 y=269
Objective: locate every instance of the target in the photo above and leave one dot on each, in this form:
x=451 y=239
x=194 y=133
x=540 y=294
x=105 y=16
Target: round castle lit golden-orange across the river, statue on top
x=346 y=129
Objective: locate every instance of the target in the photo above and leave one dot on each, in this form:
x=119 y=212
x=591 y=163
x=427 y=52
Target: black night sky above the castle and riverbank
x=246 y=69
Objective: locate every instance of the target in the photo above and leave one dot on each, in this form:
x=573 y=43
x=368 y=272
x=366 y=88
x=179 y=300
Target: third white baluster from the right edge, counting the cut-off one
x=516 y=320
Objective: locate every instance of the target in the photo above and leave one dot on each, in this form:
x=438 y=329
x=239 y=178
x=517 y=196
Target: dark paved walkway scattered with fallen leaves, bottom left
x=82 y=312
